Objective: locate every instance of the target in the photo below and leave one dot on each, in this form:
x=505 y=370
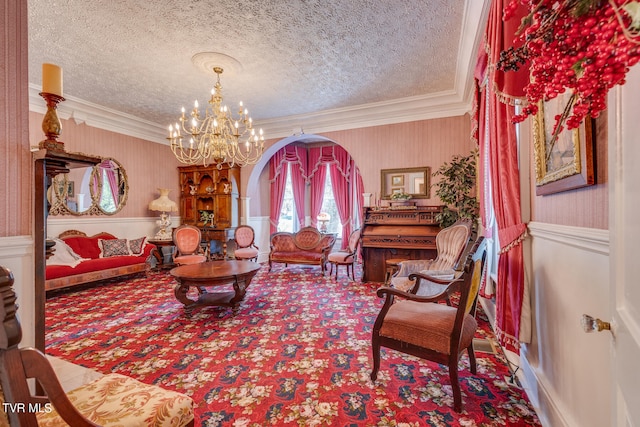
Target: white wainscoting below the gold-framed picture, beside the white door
x=567 y=370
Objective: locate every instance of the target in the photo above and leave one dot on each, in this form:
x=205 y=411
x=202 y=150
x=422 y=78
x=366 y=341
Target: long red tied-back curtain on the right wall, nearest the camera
x=501 y=92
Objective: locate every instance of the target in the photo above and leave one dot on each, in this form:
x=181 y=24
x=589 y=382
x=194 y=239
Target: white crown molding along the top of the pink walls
x=455 y=102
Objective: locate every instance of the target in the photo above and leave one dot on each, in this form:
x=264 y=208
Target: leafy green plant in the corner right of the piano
x=455 y=189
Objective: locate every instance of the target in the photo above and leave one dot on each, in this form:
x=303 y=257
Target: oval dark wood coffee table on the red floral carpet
x=214 y=273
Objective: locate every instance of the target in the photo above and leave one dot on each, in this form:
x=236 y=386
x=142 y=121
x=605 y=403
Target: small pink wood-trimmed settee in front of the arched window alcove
x=307 y=246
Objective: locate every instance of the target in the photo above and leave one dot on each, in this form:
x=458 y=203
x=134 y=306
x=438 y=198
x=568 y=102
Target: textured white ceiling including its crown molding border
x=312 y=64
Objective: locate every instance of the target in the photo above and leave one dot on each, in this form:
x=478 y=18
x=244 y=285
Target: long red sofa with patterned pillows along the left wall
x=93 y=258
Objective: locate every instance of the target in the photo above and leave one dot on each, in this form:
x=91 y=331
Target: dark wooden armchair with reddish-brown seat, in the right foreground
x=413 y=323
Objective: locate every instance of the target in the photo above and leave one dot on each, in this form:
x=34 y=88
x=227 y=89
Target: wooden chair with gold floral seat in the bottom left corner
x=112 y=400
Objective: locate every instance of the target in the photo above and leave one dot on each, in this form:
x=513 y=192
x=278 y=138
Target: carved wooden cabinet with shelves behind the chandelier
x=208 y=199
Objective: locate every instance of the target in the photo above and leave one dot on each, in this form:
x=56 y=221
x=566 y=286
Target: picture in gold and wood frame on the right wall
x=567 y=161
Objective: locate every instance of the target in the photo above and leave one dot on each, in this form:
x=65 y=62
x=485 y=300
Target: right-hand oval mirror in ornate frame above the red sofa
x=109 y=181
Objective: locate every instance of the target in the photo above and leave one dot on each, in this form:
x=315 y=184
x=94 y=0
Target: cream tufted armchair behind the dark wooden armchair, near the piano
x=450 y=246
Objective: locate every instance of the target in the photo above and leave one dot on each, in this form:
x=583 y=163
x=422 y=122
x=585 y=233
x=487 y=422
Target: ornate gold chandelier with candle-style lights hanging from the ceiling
x=216 y=137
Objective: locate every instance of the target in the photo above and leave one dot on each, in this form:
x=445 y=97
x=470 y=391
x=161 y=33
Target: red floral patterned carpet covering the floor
x=297 y=353
